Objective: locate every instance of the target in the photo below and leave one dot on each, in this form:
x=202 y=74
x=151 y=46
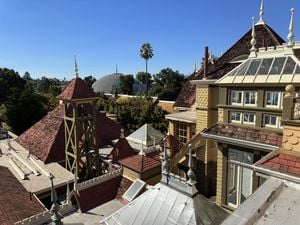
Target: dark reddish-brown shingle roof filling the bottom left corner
x=15 y=202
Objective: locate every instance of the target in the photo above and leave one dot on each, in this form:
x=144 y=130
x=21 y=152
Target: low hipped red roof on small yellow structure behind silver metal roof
x=142 y=163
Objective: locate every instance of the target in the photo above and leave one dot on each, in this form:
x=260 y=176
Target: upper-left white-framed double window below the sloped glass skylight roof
x=246 y=98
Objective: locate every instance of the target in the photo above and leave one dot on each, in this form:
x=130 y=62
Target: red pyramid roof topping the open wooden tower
x=76 y=89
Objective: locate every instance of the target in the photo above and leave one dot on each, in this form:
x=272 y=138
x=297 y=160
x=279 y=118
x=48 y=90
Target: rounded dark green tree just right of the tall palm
x=167 y=84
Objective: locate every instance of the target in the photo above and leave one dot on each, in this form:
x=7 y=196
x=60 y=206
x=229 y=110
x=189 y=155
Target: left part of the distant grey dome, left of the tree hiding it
x=107 y=84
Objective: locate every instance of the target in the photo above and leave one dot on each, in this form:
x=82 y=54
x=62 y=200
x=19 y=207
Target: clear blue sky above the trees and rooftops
x=41 y=36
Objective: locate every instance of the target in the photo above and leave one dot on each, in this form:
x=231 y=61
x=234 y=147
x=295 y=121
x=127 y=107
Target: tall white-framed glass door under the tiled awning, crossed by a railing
x=239 y=179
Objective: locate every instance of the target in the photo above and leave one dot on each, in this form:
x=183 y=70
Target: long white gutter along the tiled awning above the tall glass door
x=229 y=140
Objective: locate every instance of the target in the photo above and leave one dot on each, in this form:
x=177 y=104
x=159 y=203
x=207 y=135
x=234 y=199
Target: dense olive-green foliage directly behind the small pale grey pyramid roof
x=135 y=112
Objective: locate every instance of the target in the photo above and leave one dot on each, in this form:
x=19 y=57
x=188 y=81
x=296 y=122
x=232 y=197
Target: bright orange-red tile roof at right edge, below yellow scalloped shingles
x=284 y=163
